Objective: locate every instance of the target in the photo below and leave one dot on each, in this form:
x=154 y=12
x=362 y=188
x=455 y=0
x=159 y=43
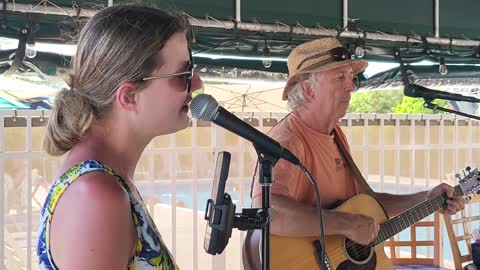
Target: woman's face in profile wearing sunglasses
x=163 y=104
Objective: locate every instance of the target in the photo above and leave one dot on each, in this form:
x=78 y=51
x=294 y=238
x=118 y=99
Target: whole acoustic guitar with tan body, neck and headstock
x=342 y=253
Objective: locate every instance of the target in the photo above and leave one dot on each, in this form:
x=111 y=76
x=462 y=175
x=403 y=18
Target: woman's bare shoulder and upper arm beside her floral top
x=95 y=214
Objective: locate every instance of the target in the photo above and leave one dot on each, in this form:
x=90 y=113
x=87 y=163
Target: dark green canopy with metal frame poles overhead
x=418 y=29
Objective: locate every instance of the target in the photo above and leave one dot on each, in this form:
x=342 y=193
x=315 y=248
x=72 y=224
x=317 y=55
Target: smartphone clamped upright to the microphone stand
x=216 y=234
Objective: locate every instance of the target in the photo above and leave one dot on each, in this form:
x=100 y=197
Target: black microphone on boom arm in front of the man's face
x=415 y=90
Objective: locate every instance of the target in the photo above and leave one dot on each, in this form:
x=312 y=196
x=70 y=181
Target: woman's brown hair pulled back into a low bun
x=117 y=45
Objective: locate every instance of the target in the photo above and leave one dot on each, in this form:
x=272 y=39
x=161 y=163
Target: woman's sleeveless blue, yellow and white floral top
x=150 y=253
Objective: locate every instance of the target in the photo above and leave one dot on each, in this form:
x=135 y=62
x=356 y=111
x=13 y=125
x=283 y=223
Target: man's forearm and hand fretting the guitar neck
x=395 y=204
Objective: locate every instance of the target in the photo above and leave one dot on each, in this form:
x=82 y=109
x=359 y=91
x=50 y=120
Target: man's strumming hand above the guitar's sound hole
x=363 y=229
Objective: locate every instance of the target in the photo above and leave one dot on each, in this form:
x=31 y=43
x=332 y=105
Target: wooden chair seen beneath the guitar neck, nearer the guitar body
x=413 y=243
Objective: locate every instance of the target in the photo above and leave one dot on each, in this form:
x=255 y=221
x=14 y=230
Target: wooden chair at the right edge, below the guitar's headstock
x=455 y=238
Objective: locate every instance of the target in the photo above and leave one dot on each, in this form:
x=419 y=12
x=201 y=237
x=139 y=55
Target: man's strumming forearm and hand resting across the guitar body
x=291 y=218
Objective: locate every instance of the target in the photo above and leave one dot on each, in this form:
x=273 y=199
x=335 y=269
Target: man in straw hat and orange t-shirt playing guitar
x=318 y=91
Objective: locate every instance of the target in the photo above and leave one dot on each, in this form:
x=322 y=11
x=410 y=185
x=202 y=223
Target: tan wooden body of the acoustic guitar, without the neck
x=300 y=253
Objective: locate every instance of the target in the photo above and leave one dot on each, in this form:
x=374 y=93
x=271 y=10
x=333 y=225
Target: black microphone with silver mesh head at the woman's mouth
x=205 y=107
